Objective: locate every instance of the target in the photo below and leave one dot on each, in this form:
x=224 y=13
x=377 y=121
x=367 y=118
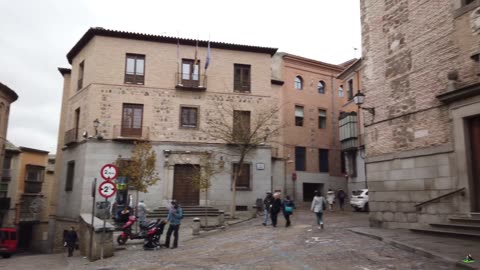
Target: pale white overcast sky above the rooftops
x=35 y=37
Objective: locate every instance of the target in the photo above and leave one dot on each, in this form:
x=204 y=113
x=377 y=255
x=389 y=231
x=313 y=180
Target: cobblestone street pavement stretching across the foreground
x=252 y=246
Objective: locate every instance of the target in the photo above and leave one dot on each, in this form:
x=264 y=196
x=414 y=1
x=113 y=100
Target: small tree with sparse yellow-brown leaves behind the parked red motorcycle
x=139 y=169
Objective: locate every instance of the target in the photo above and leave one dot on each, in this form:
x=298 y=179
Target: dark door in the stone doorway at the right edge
x=474 y=128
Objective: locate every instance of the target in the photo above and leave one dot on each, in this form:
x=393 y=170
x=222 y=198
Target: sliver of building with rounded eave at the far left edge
x=7 y=97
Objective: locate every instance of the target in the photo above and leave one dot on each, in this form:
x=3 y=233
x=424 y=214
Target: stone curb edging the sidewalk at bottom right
x=414 y=249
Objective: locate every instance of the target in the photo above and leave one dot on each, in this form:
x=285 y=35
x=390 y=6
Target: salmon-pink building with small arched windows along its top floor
x=310 y=98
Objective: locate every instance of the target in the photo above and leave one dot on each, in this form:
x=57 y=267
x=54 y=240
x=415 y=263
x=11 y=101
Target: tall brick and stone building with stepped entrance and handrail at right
x=421 y=75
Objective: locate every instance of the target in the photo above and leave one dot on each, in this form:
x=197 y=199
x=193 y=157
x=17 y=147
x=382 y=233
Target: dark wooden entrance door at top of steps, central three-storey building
x=183 y=189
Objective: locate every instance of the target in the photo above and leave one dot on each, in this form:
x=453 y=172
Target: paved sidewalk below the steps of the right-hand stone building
x=451 y=250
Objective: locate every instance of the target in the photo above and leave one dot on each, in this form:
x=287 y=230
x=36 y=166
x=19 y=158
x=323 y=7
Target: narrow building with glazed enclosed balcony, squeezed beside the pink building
x=351 y=128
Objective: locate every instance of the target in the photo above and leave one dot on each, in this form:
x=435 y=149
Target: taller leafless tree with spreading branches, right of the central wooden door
x=243 y=131
